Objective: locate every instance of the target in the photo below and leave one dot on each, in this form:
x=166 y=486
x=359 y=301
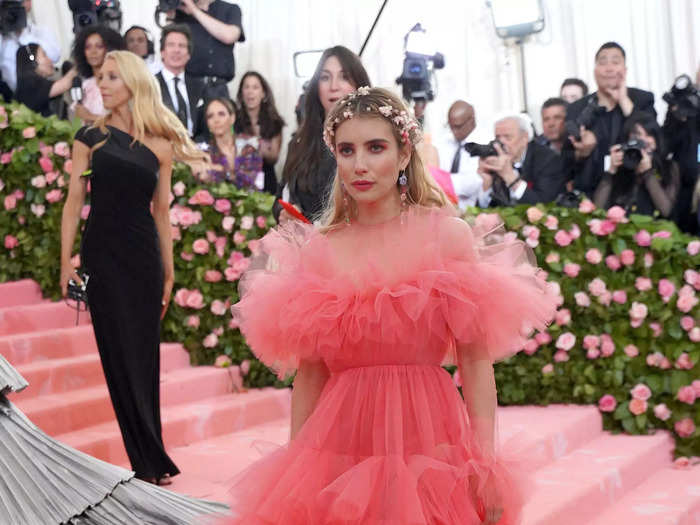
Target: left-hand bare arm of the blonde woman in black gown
x=71 y=211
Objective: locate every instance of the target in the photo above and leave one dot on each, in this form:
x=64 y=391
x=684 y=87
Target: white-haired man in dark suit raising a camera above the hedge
x=523 y=172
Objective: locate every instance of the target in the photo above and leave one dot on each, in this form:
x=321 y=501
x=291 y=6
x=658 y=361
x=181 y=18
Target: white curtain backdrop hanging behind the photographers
x=661 y=38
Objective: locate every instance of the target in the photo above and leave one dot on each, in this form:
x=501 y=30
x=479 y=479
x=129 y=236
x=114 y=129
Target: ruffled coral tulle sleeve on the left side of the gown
x=270 y=312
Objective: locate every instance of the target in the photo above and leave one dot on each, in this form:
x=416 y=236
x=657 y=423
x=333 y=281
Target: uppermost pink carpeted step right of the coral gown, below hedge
x=547 y=433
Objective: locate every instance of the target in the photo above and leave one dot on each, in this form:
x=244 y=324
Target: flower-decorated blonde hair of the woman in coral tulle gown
x=382 y=104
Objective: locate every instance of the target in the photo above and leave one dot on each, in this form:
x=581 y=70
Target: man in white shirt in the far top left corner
x=31 y=33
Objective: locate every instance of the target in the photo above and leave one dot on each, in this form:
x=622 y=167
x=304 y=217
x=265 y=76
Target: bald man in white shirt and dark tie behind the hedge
x=454 y=159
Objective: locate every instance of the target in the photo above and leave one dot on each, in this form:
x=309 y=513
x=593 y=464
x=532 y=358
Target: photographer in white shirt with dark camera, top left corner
x=20 y=36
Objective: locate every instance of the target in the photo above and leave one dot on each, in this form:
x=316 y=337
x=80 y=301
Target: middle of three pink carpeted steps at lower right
x=574 y=489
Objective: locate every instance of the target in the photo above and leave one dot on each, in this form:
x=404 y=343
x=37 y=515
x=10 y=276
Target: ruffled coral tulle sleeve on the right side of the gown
x=499 y=294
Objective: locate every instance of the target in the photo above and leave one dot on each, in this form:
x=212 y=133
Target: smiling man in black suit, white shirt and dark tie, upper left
x=181 y=93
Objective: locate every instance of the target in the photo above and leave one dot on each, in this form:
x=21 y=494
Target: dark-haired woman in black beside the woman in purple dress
x=259 y=118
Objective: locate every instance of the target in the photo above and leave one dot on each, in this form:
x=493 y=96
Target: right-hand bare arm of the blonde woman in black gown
x=161 y=216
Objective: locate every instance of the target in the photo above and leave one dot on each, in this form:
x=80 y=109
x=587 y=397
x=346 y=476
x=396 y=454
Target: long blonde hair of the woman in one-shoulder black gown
x=150 y=116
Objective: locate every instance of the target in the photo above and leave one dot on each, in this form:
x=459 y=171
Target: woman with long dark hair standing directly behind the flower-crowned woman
x=310 y=167
